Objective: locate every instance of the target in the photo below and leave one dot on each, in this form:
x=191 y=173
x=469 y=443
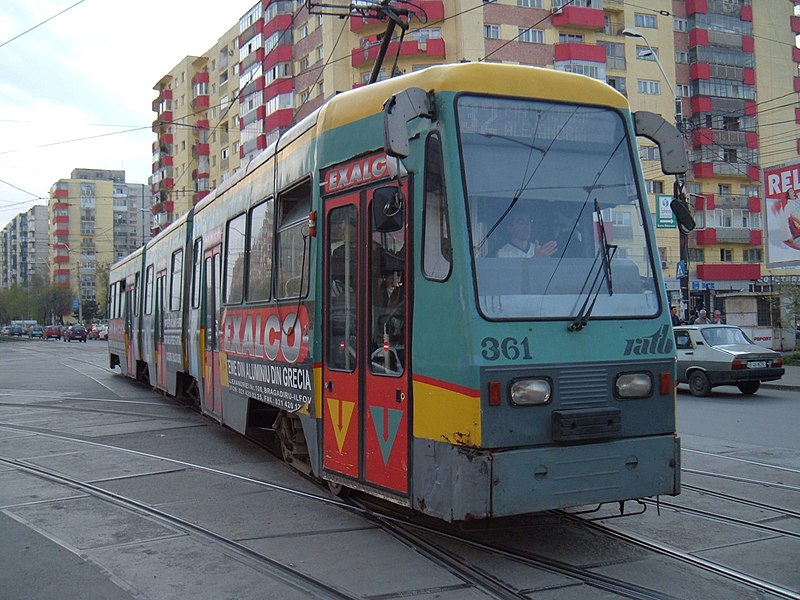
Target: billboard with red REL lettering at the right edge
x=782 y=214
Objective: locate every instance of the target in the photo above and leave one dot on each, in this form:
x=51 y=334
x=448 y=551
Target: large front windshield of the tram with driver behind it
x=554 y=210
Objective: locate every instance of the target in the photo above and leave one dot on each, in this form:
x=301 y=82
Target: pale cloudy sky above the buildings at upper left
x=77 y=92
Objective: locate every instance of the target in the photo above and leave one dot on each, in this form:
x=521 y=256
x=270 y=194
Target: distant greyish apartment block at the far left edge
x=23 y=249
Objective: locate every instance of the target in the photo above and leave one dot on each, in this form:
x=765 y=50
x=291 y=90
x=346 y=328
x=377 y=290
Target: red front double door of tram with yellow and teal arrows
x=365 y=378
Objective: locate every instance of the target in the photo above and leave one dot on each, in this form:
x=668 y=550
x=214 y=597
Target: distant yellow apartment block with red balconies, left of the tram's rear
x=96 y=218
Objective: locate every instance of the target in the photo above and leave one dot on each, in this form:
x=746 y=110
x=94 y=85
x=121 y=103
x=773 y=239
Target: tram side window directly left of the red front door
x=293 y=247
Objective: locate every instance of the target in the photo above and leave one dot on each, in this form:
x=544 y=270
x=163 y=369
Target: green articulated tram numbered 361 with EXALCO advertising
x=442 y=289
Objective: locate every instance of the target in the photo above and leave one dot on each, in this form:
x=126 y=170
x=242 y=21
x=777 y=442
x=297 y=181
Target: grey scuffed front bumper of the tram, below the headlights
x=468 y=483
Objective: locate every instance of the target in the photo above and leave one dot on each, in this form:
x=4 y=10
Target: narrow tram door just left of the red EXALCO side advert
x=212 y=387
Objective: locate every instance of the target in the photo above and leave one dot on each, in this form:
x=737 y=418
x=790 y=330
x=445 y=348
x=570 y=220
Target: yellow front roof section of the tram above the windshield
x=478 y=78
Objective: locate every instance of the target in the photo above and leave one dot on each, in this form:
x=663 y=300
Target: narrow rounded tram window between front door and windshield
x=437 y=251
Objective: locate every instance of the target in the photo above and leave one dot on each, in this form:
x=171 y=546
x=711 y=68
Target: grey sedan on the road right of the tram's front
x=713 y=355
